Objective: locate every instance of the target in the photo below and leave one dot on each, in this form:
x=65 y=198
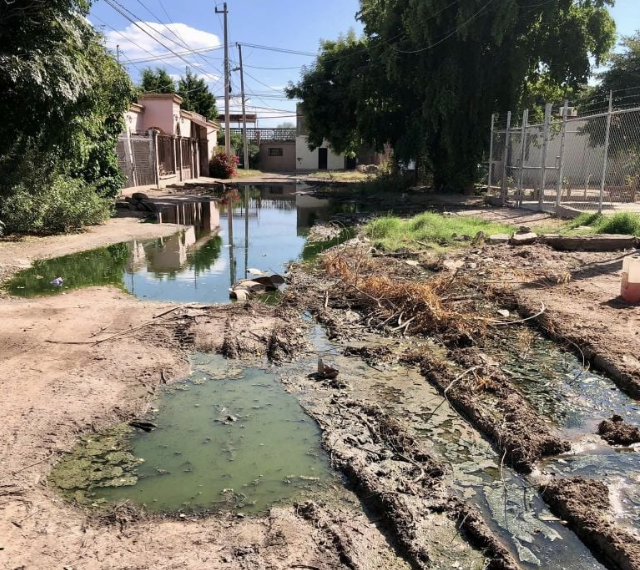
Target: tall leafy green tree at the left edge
x=63 y=102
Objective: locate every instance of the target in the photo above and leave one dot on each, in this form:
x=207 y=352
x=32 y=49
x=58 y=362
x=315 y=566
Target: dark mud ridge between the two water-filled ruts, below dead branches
x=487 y=399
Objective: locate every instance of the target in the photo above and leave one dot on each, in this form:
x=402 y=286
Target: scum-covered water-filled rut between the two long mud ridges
x=510 y=504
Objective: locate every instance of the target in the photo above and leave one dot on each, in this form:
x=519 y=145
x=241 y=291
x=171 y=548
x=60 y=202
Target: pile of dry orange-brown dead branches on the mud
x=405 y=305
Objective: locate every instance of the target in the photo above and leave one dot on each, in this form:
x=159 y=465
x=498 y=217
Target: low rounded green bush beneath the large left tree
x=62 y=205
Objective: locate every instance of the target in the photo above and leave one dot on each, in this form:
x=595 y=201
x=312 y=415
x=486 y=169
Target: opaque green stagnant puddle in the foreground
x=226 y=439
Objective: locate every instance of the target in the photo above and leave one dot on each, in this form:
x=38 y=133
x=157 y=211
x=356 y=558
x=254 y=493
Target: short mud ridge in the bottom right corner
x=584 y=503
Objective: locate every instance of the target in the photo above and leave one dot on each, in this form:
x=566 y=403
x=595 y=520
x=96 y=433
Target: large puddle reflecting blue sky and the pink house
x=269 y=228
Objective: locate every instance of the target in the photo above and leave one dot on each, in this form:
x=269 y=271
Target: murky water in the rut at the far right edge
x=577 y=400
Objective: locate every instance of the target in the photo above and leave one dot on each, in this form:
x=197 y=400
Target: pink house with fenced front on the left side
x=163 y=144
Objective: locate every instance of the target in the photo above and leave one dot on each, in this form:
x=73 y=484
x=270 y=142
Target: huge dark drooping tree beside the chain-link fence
x=426 y=76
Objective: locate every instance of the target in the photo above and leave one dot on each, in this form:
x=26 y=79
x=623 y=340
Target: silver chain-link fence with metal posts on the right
x=581 y=163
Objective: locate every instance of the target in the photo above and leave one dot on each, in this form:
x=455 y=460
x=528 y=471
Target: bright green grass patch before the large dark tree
x=428 y=229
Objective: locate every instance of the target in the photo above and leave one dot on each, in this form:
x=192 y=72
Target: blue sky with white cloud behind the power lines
x=297 y=25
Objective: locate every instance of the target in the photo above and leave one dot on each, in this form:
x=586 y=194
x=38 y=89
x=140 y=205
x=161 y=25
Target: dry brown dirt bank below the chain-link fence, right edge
x=582 y=308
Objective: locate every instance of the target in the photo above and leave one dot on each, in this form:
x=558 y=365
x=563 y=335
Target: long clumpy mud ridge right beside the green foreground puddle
x=394 y=475
